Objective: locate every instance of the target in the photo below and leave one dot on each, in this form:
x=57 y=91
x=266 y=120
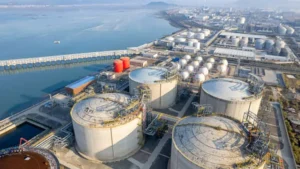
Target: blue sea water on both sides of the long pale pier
x=31 y=32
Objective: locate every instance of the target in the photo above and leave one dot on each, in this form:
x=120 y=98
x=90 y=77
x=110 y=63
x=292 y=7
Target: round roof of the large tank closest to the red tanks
x=148 y=75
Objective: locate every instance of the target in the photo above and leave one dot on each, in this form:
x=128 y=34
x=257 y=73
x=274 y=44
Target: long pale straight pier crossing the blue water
x=14 y=64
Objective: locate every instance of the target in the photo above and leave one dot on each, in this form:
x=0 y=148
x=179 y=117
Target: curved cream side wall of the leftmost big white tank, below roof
x=110 y=143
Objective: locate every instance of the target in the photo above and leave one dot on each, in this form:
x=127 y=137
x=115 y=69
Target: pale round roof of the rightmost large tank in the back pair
x=227 y=89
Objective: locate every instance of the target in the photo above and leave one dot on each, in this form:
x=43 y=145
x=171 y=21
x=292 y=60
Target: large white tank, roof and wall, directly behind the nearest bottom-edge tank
x=230 y=97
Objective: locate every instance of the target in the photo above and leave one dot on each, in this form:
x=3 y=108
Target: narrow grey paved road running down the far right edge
x=286 y=153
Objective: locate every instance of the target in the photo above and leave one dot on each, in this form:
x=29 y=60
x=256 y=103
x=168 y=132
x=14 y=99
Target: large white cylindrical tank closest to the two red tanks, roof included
x=163 y=85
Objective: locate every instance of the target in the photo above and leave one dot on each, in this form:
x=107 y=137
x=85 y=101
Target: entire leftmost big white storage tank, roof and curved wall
x=103 y=130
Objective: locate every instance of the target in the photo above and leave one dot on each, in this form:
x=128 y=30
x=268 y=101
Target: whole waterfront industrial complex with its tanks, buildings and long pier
x=210 y=96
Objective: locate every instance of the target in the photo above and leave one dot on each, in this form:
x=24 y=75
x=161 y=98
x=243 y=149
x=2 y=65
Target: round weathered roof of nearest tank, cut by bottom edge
x=211 y=141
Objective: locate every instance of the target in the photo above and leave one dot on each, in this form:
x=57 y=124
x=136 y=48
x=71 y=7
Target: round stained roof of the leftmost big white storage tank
x=100 y=108
